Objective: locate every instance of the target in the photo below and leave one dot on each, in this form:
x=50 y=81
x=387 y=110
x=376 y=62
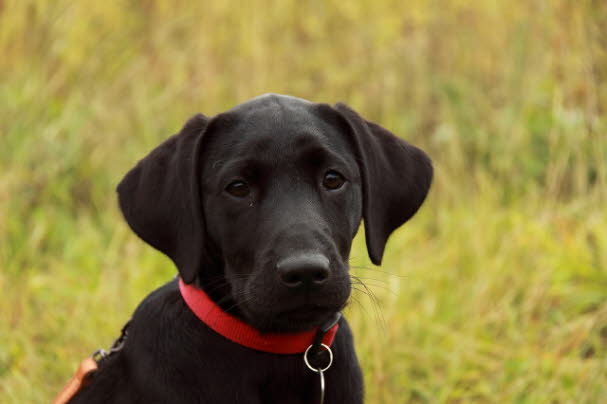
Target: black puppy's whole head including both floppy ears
x=259 y=205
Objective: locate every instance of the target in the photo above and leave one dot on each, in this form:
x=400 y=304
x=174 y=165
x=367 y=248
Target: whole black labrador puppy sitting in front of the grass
x=257 y=207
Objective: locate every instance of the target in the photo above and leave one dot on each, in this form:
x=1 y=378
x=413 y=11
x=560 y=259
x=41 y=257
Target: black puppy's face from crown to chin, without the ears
x=282 y=200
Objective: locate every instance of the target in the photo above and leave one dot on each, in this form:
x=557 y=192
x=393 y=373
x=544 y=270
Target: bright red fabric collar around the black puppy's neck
x=243 y=334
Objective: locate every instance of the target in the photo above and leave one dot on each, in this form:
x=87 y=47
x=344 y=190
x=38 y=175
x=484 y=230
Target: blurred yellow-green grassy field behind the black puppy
x=496 y=292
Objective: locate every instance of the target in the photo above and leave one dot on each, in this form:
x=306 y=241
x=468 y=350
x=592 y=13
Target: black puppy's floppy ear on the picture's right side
x=396 y=177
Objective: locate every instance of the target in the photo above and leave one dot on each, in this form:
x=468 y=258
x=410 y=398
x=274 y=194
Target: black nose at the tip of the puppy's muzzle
x=305 y=271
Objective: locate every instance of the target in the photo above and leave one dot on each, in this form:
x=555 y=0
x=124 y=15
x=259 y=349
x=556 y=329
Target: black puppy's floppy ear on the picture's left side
x=160 y=198
